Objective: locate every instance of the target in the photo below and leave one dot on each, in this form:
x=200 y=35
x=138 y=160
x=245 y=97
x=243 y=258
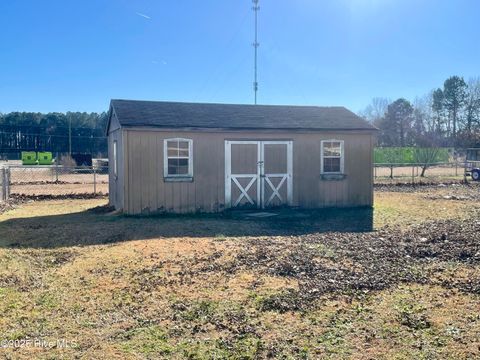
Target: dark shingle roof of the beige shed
x=132 y=113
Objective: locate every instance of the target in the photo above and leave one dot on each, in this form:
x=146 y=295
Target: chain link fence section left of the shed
x=33 y=181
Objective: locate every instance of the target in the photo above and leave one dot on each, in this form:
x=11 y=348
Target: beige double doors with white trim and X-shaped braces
x=258 y=174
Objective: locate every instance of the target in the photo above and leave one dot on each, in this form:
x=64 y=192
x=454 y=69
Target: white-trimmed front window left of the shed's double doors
x=178 y=158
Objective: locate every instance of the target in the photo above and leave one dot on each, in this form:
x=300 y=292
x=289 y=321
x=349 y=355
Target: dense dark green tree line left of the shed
x=55 y=132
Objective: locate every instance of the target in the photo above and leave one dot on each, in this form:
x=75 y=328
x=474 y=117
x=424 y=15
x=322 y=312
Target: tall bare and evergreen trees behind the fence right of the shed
x=446 y=117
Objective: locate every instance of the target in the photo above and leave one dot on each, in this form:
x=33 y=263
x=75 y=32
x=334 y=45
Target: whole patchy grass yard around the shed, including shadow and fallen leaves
x=401 y=281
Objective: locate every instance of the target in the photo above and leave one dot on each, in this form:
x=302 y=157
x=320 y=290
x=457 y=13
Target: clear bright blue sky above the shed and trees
x=78 y=54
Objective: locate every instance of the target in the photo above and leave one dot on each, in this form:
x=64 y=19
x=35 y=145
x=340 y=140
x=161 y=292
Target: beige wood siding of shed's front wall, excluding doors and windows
x=147 y=191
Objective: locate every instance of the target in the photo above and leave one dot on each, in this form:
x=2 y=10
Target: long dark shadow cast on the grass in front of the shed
x=96 y=226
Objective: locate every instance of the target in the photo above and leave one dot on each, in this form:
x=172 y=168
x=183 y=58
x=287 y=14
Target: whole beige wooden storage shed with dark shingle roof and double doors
x=192 y=157
